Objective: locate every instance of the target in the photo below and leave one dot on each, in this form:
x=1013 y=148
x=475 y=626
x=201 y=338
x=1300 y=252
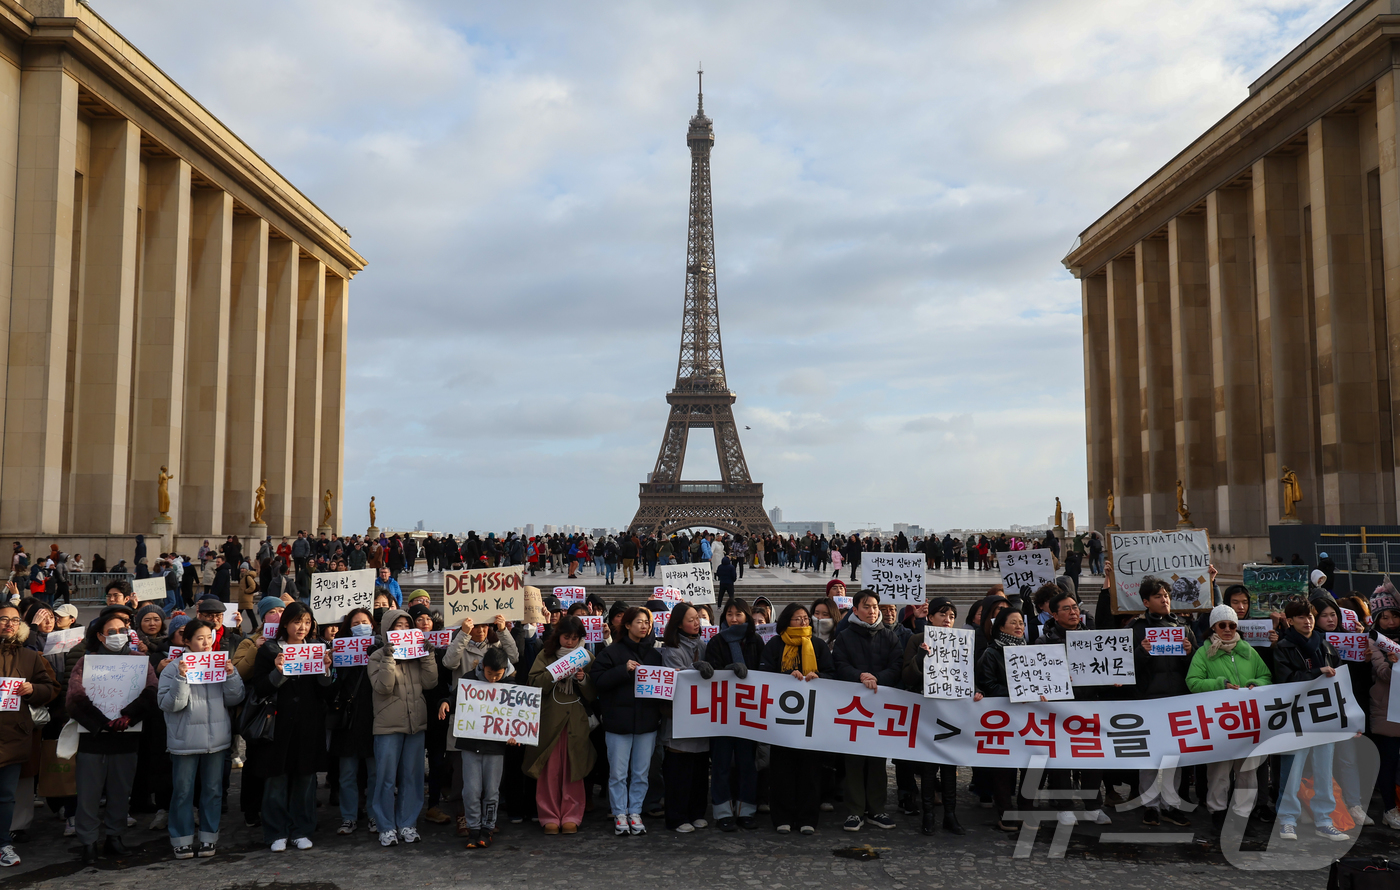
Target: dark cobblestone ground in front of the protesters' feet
x=1119 y=857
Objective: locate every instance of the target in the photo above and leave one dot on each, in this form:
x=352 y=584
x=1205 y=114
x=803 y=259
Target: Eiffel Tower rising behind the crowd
x=702 y=398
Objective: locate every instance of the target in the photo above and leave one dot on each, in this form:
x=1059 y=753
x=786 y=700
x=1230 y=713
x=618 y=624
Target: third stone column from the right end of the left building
x=281 y=383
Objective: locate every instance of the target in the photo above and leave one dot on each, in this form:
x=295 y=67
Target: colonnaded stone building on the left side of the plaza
x=169 y=300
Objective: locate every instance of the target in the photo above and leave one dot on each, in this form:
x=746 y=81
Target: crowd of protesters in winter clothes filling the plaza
x=380 y=733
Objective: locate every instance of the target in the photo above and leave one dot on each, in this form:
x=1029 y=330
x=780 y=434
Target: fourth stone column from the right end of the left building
x=247 y=345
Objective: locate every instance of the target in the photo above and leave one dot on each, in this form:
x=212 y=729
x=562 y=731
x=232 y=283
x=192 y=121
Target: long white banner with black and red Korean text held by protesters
x=848 y=719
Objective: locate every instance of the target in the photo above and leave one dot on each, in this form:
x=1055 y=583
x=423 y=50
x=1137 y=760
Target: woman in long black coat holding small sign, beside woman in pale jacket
x=289 y=672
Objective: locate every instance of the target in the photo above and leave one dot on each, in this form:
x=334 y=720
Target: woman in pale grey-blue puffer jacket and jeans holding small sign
x=198 y=735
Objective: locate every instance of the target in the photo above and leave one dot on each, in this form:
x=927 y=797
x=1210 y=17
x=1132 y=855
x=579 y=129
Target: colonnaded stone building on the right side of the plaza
x=1242 y=306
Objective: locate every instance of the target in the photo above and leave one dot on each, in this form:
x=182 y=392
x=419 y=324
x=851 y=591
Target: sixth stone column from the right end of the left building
x=162 y=320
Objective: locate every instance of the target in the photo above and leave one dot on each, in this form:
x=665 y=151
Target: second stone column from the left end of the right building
x=1126 y=405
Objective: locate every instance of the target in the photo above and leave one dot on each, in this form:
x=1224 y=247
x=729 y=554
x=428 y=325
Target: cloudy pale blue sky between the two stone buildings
x=895 y=185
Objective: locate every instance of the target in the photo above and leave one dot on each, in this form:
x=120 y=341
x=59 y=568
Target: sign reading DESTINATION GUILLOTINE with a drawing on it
x=1179 y=558
